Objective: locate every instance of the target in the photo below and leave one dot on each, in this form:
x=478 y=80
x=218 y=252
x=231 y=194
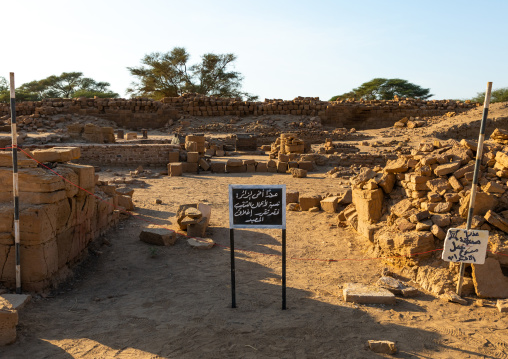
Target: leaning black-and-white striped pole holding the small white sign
x=474 y=188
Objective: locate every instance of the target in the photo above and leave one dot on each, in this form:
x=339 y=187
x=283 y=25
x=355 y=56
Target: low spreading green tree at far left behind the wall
x=66 y=85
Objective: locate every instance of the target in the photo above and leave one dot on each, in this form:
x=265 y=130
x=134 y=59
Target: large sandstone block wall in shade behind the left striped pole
x=57 y=220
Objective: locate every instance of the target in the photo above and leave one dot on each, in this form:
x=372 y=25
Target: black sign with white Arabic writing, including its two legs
x=257 y=206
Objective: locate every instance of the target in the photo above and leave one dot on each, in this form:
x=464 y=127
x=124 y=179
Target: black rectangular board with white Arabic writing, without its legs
x=257 y=206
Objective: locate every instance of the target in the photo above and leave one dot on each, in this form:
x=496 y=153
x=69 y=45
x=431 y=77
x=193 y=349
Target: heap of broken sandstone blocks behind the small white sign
x=405 y=209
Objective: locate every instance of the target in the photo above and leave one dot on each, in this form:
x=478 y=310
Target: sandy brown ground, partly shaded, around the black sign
x=138 y=301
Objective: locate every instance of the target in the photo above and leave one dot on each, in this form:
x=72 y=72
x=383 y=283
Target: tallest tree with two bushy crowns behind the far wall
x=168 y=75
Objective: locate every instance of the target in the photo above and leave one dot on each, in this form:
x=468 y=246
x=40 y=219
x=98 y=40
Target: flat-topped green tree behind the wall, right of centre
x=385 y=89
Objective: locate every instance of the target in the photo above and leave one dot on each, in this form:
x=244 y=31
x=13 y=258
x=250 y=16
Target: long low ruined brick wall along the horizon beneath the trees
x=146 y=113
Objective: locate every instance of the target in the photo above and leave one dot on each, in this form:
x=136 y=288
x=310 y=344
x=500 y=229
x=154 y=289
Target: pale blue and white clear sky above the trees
x=284 y=48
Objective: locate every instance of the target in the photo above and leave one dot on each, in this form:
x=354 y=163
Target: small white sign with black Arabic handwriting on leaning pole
x=465 y=246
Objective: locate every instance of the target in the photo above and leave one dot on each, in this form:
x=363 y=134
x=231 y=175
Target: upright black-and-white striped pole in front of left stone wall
x=15 y=182
